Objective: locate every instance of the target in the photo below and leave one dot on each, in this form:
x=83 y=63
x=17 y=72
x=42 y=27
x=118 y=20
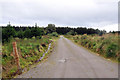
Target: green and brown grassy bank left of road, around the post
x=30 y=50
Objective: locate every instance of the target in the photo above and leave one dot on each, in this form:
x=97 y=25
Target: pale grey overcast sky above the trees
x=101 y=14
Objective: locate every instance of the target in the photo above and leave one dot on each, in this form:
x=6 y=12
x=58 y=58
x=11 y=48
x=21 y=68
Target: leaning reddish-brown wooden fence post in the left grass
x=15 y=52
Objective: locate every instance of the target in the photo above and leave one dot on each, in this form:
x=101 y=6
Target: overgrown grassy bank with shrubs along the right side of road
x=105 y=45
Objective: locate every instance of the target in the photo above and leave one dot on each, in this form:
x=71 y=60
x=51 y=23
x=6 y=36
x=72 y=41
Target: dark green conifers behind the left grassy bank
x=9 y=32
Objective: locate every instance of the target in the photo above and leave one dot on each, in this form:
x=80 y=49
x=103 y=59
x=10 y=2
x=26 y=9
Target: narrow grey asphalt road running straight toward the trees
x=71 y=61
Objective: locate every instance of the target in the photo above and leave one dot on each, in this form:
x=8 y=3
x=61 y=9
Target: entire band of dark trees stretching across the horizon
x=9 y=31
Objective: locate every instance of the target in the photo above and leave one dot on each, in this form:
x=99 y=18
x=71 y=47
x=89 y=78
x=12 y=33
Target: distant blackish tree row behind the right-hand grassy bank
x=79 y=30
